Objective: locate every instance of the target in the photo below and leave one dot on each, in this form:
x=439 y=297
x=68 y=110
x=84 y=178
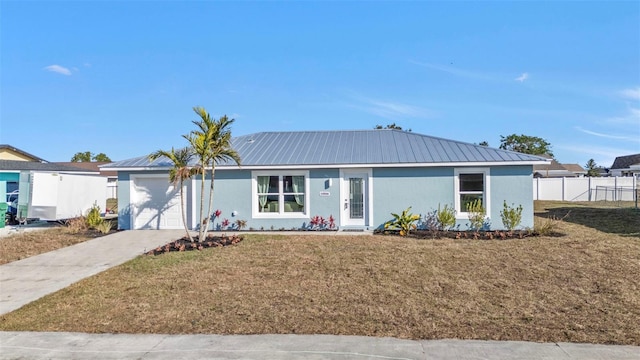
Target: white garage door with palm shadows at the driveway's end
x=155 y=204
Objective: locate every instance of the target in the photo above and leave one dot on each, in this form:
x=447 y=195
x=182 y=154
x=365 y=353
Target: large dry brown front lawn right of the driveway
x=574 y=289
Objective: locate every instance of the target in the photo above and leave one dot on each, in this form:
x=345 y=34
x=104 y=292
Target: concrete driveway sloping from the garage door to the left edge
x=26 y=280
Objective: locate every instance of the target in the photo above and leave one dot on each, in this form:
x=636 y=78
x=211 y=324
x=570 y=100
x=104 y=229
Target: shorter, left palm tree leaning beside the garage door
x=180 y=172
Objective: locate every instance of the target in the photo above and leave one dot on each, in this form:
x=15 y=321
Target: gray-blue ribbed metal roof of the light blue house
x=355 y=147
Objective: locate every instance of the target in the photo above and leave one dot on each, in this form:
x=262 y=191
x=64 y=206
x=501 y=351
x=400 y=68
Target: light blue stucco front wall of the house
x=394 y=189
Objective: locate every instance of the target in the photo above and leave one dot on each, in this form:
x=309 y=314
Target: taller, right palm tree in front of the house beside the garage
x=211 y=144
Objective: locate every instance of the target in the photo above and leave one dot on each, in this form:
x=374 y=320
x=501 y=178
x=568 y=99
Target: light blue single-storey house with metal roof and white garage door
x=358 y=177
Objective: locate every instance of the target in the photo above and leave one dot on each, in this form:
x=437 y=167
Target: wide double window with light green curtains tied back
x=280 y=195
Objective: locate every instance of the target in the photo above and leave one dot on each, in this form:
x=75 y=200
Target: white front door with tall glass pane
x=355 y=198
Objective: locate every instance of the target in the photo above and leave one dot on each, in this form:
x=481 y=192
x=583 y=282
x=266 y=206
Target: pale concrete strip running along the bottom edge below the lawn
x=28 y=345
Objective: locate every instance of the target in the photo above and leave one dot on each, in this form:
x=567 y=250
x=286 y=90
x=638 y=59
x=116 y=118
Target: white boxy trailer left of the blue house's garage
x=58 y=196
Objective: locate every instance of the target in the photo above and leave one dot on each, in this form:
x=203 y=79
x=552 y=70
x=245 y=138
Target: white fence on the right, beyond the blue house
x=585 y=189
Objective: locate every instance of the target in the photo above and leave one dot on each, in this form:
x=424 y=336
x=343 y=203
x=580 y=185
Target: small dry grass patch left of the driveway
x=29 y=243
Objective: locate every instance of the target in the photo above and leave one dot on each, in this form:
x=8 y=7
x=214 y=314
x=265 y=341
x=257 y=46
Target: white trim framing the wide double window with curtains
x=255 y=213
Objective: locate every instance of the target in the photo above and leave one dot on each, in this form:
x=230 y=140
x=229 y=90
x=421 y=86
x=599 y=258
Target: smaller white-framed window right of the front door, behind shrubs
x=471 y=185
